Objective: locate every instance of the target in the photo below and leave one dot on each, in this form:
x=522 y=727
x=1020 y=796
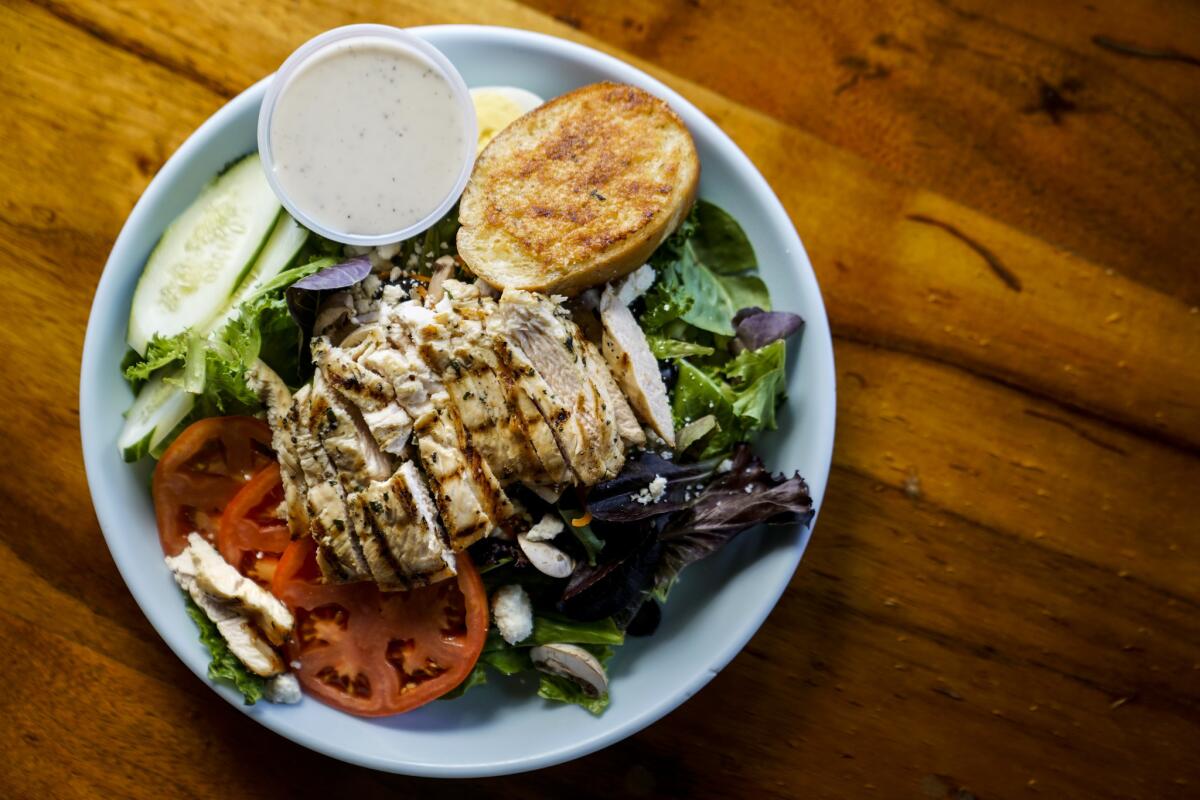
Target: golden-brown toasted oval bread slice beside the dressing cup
x=579 y=191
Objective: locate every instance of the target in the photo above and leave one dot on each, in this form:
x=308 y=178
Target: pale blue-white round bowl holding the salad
x=502 y=727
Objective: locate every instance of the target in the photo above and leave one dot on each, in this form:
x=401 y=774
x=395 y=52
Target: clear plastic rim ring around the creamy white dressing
x=416 y=47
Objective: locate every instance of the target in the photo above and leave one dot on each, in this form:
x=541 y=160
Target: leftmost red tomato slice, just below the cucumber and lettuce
x=202 y=472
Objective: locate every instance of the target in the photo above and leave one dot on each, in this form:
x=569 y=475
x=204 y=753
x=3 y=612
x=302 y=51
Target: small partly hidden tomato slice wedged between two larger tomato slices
x=253 y=536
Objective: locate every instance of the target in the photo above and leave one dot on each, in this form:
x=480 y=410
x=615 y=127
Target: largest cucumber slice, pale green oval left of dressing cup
x=205 y=255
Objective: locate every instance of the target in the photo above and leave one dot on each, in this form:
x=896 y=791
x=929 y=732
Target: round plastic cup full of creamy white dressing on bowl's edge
x=368 y=135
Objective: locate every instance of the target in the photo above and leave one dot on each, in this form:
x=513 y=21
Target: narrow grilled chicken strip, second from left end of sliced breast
x=340 y=556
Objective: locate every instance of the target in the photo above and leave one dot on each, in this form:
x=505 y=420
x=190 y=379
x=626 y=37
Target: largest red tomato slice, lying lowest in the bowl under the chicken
x=373 y=653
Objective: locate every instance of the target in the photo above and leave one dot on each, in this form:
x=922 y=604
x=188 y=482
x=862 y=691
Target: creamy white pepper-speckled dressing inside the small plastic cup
x=368 y=137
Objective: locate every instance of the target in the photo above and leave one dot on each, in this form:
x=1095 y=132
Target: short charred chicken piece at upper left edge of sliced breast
x=373 y=394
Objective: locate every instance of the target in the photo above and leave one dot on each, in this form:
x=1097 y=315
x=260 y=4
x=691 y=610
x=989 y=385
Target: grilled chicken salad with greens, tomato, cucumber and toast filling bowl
x=389 y=474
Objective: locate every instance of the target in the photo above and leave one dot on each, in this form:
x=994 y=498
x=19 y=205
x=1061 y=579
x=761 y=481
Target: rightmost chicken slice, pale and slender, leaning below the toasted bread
x=635 y=368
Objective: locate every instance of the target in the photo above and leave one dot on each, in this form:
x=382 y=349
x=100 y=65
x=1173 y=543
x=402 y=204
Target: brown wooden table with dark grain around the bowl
x=1003 y=203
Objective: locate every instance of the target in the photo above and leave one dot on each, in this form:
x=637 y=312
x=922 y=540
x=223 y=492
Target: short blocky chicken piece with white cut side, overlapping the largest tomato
x=404 y=519
